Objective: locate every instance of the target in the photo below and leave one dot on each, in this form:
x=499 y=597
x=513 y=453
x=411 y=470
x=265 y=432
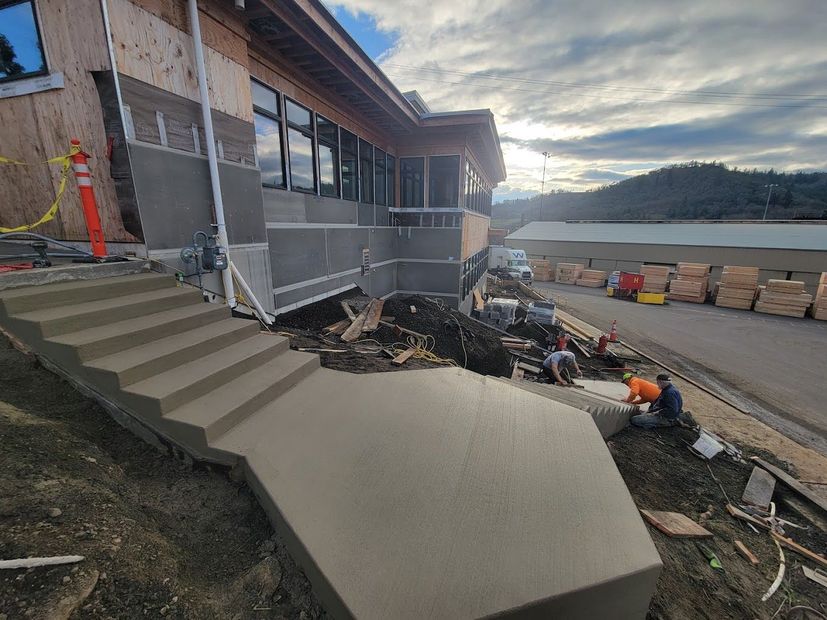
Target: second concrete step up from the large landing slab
x=162 y=393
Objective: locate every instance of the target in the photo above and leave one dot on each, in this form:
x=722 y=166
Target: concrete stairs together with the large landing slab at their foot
x=422 y=494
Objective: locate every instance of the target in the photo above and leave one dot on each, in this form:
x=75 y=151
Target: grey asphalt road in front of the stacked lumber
x=774 y=367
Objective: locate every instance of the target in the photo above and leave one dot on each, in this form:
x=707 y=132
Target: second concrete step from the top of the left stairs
x=66 y=319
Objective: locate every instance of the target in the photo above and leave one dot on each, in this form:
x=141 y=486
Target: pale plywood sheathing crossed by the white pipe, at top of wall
x=153 y=51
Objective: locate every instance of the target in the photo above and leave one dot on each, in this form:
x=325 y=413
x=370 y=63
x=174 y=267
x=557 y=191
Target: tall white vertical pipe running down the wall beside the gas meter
x=212 y=155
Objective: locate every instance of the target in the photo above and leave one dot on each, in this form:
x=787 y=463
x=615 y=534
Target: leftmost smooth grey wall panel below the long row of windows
x=296 y=255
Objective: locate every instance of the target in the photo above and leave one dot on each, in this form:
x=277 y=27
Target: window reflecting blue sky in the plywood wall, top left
x=21 y=47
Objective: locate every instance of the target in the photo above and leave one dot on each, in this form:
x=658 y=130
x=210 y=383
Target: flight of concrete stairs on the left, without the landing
x=183 y=367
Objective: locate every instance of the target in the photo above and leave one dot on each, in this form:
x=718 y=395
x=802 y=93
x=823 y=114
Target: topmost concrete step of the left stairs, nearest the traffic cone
x=33 y=298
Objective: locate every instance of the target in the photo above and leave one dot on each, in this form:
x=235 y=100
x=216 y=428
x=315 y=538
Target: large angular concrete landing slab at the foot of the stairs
x=444 y=494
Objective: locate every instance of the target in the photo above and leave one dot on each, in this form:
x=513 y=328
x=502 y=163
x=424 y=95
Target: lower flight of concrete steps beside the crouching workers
x=610 y=415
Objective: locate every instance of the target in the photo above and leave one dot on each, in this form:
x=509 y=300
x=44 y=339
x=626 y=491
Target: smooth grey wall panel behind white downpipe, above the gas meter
x=175 y=197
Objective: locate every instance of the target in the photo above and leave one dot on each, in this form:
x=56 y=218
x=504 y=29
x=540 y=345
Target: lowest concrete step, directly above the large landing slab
x=218 y=411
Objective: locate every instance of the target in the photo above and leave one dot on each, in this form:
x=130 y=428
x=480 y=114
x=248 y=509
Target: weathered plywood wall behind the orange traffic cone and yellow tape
x=39 y=126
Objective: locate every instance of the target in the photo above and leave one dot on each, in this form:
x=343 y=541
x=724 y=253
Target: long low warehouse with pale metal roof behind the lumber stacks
x=786 y=250
